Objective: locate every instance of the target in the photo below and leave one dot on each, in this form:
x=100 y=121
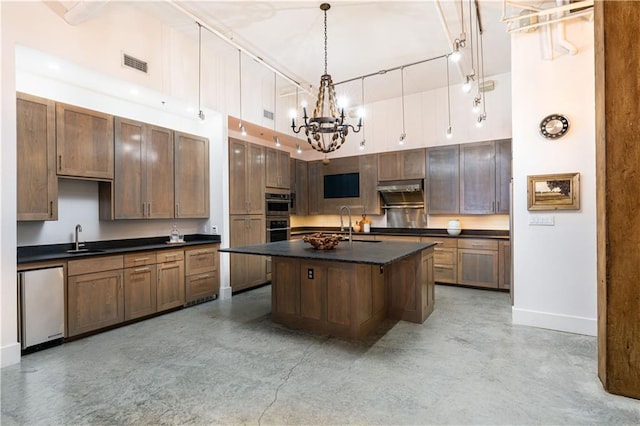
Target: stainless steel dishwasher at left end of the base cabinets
x=41 y=307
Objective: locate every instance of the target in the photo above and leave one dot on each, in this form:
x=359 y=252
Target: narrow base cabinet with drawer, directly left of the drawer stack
x=170 y=282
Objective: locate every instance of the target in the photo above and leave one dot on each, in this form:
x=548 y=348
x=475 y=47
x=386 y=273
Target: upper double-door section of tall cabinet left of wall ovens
x=246 y=178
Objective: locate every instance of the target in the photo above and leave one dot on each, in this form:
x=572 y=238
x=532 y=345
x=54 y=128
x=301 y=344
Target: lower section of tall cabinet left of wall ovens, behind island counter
x=247 y=270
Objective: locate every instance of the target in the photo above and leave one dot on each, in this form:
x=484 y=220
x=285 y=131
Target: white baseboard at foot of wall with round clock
x=558 y=322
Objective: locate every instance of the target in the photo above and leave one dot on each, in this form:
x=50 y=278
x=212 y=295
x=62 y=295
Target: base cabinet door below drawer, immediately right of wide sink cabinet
x=139 y=292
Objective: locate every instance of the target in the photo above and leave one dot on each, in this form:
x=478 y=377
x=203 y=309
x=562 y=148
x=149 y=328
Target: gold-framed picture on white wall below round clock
x=553 y=192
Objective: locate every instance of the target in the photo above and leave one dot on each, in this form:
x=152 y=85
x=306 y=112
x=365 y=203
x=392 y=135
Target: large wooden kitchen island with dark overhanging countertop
x=349 y=290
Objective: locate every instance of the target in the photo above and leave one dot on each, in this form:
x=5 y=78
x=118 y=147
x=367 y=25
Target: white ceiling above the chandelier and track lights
x=364 y=37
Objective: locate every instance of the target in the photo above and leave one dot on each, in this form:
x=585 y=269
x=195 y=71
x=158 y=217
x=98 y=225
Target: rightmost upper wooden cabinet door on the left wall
x=191 y=176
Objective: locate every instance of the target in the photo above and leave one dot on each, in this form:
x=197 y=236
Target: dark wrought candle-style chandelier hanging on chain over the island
x=325 y=133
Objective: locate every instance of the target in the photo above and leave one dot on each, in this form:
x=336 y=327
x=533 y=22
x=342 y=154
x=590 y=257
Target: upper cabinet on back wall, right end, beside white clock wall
x=485 y=169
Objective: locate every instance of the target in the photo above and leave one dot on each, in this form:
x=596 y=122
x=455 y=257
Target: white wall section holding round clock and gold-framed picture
x=555 y=266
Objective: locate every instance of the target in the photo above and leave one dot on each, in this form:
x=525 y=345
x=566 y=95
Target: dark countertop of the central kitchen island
x=369 y=252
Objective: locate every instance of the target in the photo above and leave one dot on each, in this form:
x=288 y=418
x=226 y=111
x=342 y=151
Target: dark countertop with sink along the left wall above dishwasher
x=52 y=252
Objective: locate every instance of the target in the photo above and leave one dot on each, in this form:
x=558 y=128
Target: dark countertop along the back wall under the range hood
x=413 y=232
